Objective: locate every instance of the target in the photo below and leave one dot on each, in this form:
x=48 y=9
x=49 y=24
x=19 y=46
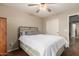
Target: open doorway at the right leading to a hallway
x=74 y=30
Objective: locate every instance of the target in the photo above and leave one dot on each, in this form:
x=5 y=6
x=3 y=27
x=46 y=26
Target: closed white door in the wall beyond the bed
x=52 y=26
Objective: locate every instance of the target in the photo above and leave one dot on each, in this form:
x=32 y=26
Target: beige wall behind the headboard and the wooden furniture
x=16 y=18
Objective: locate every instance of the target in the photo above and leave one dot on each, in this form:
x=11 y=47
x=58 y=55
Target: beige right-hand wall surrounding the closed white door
x=63 y=22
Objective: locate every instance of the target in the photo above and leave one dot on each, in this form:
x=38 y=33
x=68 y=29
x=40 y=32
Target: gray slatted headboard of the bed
x=27 y=29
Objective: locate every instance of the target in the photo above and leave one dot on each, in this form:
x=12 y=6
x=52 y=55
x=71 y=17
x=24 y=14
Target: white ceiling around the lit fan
x=56 y=8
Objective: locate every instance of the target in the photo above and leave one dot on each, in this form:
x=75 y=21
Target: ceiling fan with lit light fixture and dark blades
x=41 y=6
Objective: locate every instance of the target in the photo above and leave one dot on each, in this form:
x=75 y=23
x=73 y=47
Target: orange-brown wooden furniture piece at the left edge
x=3 y=36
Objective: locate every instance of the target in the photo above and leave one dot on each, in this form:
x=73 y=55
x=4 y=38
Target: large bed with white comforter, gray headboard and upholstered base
x=35 y=44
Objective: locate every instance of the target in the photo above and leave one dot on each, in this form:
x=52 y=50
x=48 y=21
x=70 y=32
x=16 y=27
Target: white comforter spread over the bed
x=46 y=45
